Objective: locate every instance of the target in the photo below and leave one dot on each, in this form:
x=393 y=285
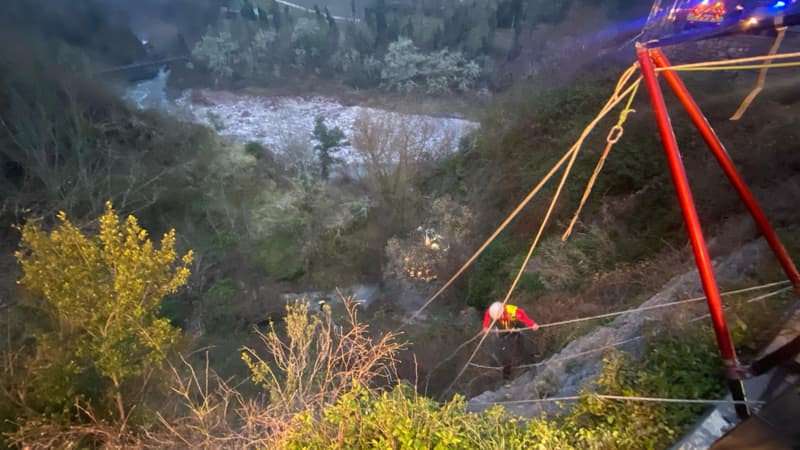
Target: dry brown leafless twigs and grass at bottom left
x=306 y=368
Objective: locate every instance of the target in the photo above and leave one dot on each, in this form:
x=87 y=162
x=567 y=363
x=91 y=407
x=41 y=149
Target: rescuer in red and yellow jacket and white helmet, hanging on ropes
x=510 y=319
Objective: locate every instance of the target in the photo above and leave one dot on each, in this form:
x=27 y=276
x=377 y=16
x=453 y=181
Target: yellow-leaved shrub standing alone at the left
x=106 y=289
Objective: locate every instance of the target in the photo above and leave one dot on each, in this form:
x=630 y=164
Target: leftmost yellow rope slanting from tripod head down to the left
x=616 y=98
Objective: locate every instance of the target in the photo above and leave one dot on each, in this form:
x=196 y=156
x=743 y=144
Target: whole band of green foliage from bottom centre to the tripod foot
x=675 y=366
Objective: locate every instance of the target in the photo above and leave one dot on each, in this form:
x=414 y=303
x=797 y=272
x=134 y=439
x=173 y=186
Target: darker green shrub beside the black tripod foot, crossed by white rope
x=683 y=365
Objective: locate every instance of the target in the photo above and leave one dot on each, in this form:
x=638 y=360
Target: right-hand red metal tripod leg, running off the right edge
x=724 y=160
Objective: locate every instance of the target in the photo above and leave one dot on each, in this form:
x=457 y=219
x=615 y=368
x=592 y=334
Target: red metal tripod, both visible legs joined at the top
x=648 y=60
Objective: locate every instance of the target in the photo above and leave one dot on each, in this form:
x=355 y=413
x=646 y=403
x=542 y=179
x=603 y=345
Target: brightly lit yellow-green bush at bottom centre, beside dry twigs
x=400 y=418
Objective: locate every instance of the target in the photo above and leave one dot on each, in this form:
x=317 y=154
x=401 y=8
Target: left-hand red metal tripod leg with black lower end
x=689 y=211
